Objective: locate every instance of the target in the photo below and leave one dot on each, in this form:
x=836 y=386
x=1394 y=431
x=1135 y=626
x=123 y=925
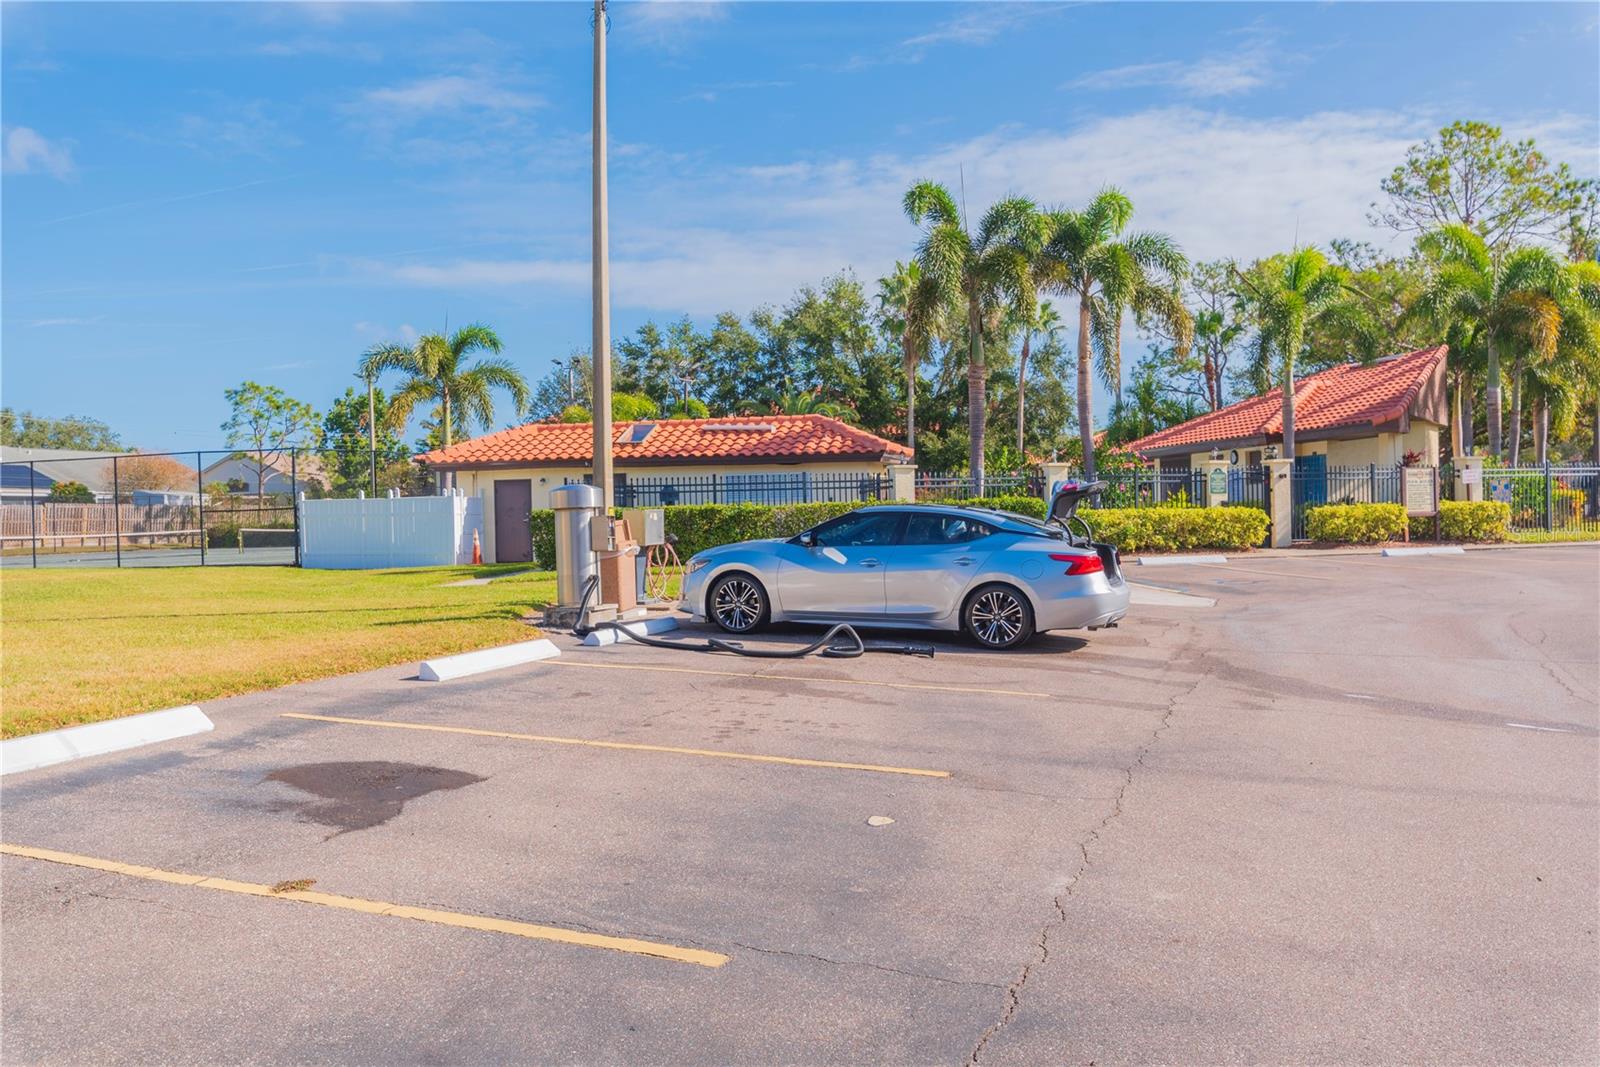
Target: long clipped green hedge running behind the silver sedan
x=700 y=527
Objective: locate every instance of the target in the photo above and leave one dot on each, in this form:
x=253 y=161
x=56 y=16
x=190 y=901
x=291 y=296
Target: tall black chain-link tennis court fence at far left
x=210 y=508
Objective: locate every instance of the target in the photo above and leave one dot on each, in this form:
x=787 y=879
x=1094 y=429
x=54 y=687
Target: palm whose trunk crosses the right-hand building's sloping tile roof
x=1290 y=294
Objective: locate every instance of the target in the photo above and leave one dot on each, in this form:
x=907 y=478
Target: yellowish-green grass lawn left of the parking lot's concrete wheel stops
x=82 y=645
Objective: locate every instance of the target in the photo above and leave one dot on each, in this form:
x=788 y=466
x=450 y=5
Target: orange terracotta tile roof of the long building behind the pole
x=742 y=439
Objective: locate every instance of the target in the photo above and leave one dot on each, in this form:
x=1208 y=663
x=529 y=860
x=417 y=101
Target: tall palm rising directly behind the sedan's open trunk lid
x=1108 y=278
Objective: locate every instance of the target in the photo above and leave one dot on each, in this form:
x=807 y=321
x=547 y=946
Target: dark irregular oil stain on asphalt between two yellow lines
x=364 y=794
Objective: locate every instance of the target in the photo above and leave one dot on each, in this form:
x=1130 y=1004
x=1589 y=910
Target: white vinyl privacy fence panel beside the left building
x=390 y=532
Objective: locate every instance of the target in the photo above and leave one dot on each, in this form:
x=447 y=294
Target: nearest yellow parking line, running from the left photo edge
x=380 y=908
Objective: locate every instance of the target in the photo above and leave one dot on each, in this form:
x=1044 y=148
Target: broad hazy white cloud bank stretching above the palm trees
x=1222 y=185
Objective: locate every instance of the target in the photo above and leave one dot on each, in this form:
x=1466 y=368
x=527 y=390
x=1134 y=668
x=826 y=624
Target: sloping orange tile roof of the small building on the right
x=1351 y=394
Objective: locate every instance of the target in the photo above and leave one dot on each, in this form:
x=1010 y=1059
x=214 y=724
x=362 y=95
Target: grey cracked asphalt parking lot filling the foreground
x=1346 y=815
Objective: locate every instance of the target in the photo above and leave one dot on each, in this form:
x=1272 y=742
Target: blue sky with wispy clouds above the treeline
x=196 y=194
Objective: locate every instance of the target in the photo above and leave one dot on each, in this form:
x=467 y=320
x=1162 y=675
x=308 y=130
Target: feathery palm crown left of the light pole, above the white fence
x=439 y=372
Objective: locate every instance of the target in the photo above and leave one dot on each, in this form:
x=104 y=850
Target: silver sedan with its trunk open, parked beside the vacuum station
x=994 y=575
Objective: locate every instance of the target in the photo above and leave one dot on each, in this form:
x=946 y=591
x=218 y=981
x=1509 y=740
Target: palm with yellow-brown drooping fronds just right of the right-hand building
x=1506 y=300
